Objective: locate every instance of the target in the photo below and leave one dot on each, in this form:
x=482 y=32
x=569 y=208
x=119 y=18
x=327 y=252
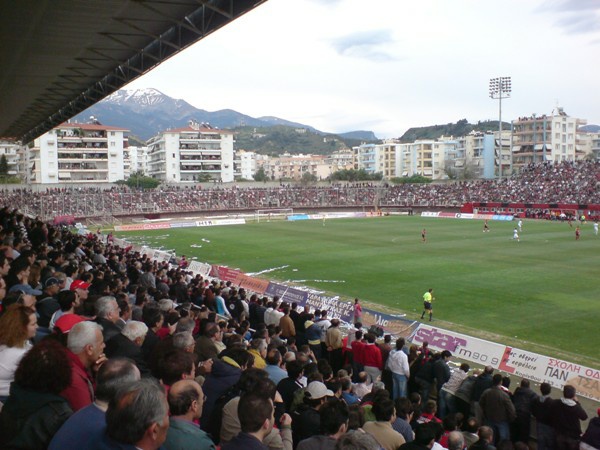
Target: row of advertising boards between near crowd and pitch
x=512 y=360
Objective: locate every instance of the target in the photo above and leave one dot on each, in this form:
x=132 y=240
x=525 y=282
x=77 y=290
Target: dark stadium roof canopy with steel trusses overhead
x=58 y=57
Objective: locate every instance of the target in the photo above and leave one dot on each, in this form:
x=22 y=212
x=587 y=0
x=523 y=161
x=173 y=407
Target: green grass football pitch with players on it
x=540 y=294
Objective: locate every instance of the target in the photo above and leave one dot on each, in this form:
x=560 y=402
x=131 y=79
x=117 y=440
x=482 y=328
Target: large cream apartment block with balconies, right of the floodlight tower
x=547 y=138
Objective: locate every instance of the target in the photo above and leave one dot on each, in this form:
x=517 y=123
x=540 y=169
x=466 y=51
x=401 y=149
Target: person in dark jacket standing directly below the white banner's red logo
x=498 y=410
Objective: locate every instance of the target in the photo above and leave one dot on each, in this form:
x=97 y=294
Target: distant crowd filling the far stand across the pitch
x=566 y=182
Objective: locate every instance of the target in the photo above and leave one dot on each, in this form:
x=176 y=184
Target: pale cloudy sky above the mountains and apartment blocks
x=388 y=65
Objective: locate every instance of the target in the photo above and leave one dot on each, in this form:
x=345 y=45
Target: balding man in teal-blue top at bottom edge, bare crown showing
x=185 y=405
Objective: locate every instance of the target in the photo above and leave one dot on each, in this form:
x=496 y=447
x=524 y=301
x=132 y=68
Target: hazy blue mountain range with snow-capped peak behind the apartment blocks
x=146 y=112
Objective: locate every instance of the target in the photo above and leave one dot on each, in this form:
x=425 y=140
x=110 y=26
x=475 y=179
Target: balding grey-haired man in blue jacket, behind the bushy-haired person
x=87 y=424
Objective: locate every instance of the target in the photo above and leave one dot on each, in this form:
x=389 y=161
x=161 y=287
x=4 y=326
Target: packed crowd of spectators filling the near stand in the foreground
x=102 y=348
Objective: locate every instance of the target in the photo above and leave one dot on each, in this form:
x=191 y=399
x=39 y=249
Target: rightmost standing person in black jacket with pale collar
x=566 y=415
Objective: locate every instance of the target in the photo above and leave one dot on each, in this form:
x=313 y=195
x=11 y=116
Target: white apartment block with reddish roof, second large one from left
x=194 y=153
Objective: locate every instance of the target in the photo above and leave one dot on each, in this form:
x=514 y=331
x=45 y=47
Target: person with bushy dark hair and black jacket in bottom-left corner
x=34 y=410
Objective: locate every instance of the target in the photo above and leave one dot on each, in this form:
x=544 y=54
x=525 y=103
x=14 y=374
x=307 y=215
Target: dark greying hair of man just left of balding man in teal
x=134 y=409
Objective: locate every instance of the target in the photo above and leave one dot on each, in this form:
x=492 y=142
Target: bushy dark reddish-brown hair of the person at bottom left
x=45 y=358
